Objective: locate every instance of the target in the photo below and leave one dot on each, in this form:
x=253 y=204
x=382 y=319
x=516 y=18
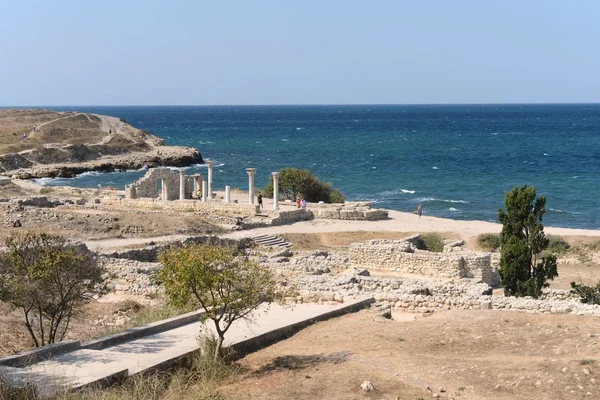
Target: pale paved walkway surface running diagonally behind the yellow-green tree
x=82 y=367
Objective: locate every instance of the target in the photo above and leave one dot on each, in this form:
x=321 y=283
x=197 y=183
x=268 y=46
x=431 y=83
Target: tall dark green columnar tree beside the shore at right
x=524 y=268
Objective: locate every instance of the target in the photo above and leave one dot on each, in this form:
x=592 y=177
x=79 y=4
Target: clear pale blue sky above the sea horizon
x=176 y=52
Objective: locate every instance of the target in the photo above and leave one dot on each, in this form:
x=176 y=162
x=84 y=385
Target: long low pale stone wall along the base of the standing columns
x=181 y=205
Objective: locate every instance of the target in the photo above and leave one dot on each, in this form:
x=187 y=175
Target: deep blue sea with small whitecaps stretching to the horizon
x=457 y=160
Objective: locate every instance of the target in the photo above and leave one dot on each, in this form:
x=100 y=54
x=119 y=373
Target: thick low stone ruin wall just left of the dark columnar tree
x=401 y=256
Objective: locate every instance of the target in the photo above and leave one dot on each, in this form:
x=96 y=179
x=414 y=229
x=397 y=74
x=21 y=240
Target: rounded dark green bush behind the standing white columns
x=294 y=182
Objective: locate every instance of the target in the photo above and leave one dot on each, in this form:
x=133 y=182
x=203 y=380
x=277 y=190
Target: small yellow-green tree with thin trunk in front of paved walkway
x=224 y=283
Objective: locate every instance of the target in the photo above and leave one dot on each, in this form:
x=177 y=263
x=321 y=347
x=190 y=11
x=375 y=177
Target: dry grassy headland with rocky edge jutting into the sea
x=41 y=143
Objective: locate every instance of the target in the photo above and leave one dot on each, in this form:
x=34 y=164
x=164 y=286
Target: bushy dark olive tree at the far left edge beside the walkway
x=49 y=280
